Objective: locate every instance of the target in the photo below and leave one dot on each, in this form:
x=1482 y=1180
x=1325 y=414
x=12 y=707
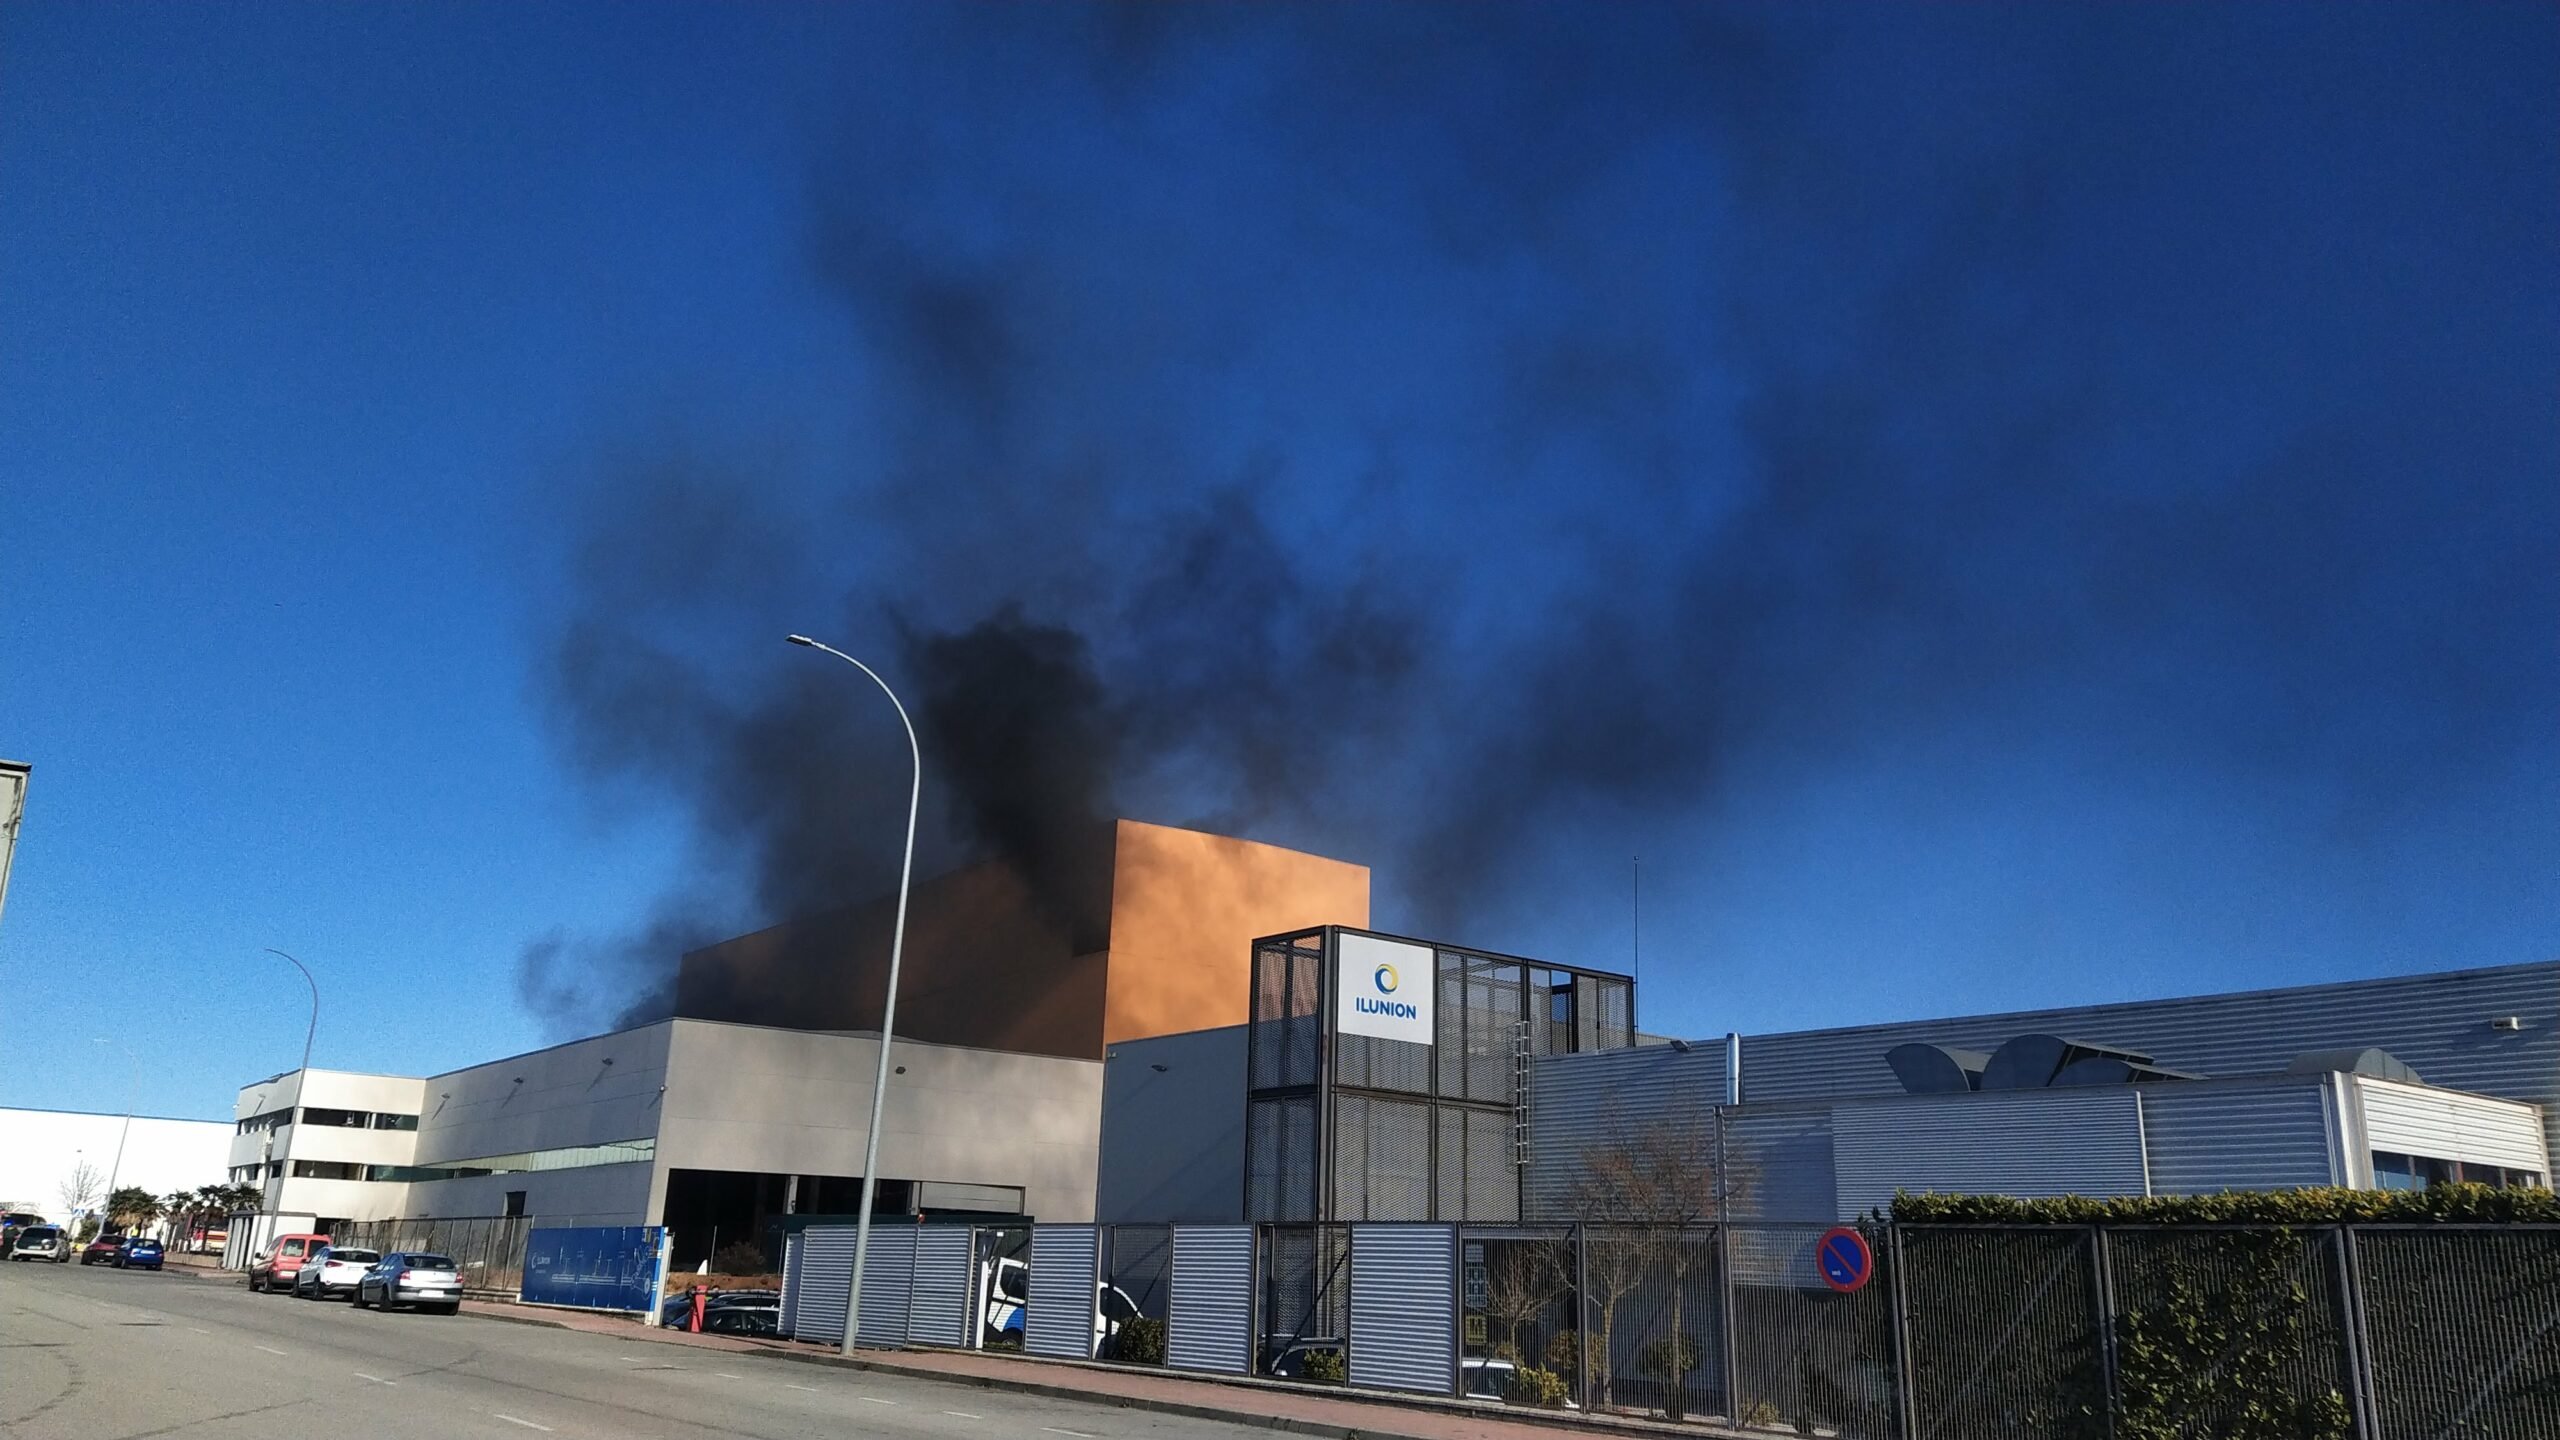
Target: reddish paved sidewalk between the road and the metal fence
x=1268 y=1405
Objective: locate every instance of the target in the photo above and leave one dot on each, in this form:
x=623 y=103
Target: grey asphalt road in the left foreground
x=99 y=1354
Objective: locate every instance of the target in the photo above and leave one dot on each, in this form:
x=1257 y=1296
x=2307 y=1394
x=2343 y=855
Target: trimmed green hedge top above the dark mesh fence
x=2446 y=1203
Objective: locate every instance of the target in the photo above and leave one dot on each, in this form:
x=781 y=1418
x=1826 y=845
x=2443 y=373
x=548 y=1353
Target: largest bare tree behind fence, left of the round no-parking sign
x=1645 y=1198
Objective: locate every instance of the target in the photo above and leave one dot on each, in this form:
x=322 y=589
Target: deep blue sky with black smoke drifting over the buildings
x=1998 y=506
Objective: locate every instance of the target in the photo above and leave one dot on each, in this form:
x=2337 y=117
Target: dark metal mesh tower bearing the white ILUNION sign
x=1348 y=1126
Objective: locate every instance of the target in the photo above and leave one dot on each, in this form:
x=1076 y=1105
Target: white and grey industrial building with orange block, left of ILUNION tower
x=751 y=1106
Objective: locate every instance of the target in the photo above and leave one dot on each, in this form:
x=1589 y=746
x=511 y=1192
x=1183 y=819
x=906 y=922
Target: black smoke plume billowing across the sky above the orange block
x=1450 y=437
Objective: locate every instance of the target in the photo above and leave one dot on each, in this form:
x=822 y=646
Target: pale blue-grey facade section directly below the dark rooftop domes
x=2031 y=1144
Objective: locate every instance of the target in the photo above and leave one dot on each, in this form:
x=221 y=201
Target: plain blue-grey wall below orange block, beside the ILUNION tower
x=1174 y=1131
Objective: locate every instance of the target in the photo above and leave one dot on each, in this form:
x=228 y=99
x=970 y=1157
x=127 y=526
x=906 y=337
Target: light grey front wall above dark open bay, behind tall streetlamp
x=746 y=1098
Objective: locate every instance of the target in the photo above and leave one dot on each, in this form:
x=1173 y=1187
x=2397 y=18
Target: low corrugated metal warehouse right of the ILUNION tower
x=2382 y=1083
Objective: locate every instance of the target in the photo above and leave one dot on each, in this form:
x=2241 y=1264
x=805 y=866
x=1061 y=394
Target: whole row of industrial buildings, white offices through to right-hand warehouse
x=1151 y=1047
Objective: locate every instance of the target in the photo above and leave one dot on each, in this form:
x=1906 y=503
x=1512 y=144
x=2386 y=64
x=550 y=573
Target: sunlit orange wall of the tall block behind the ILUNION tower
x=1187 y=911
